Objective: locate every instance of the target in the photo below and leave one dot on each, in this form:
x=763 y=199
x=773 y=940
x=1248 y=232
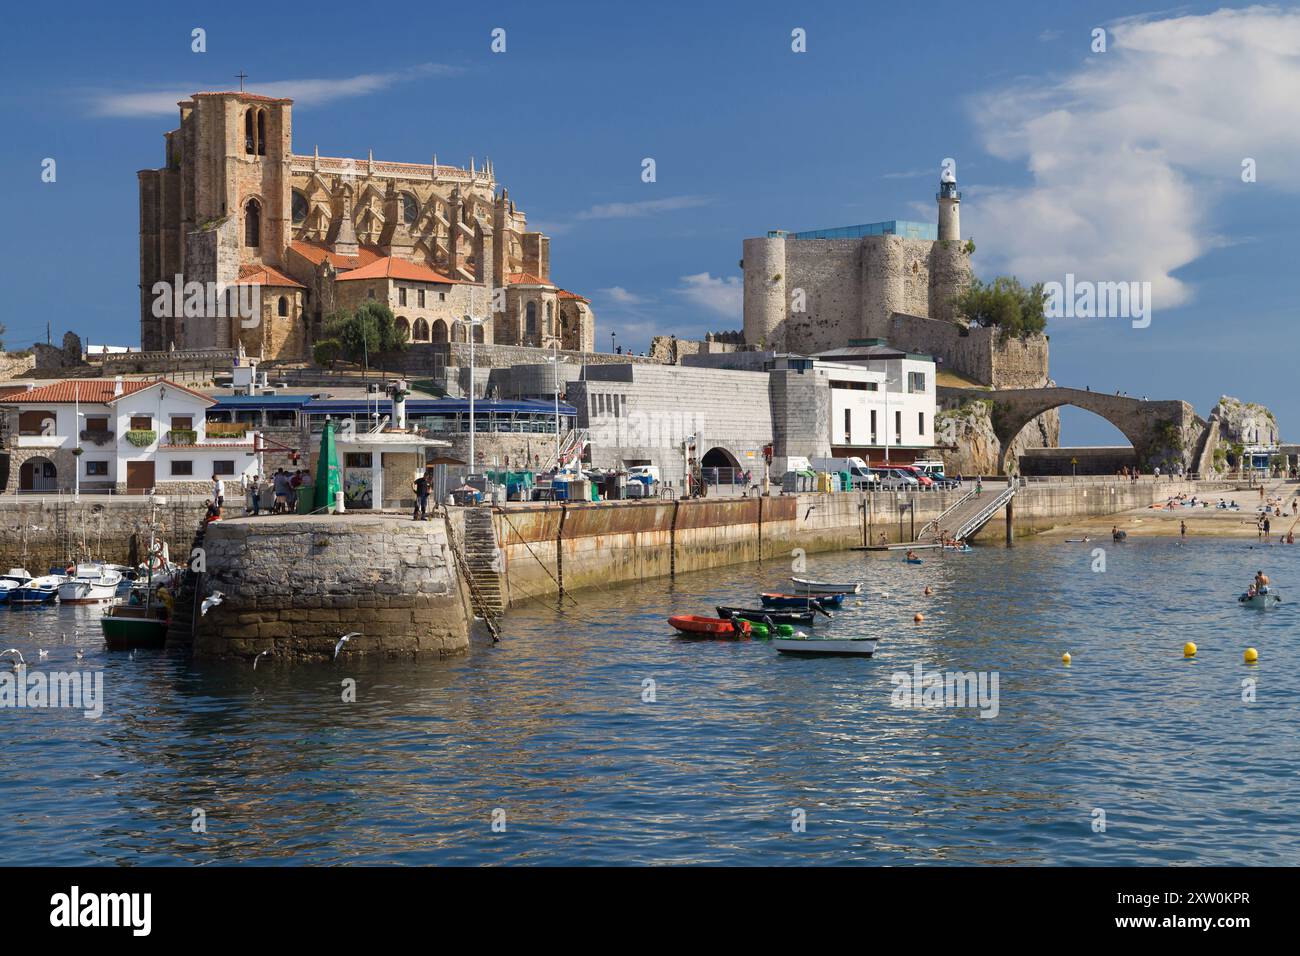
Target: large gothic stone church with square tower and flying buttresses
x=236 y=206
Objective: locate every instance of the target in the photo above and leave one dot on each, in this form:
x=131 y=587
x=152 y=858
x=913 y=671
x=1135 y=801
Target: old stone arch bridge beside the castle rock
x=1164 y=434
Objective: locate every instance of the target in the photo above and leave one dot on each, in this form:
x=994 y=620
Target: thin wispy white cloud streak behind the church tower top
x=304 y=92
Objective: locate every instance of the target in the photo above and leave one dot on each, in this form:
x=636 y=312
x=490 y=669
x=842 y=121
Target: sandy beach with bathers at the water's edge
x=1202 y=522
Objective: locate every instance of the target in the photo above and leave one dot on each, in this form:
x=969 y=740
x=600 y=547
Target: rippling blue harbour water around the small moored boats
x=551 y=728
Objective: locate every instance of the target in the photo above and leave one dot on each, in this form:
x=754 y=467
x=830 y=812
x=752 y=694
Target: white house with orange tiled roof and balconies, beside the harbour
x=123 y=436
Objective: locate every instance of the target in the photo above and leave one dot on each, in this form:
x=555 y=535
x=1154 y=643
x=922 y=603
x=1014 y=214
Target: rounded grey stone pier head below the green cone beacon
x=294 y=586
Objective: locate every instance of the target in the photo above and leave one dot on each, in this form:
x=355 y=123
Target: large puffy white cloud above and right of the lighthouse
x=1130 y=153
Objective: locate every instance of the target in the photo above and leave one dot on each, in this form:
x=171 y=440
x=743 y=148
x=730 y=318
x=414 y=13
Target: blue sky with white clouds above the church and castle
x=1121 y=166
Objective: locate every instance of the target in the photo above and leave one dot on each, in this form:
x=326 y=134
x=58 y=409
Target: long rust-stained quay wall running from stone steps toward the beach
x=606 y=543
